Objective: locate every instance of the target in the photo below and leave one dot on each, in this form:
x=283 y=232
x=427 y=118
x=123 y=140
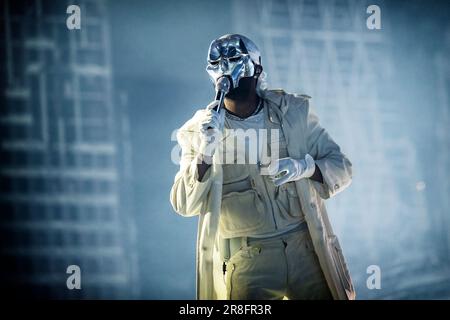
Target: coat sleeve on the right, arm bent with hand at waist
x=335 y=167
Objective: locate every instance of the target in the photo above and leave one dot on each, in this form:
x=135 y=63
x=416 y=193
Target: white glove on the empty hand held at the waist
x=289 y=169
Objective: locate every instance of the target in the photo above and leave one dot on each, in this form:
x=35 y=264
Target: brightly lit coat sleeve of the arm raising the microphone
x=189 y=196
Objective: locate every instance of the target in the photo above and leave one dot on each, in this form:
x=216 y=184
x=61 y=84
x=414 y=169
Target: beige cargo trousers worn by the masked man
x=281 y=267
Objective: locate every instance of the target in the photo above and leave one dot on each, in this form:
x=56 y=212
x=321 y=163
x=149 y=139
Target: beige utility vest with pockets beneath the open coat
x=251 y=204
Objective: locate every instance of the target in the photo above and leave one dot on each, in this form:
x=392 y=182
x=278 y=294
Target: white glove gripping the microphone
x=210 y=128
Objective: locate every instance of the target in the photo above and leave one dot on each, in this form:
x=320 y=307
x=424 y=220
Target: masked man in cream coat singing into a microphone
x=263 y=227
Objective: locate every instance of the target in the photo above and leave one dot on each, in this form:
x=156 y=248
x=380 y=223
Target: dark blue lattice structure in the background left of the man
x=64 y=197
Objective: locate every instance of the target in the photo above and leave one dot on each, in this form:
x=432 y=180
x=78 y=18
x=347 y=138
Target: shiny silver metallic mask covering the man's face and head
x=232 y=55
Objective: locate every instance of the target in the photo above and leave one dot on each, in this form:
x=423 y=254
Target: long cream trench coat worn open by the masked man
x=303 y=133
